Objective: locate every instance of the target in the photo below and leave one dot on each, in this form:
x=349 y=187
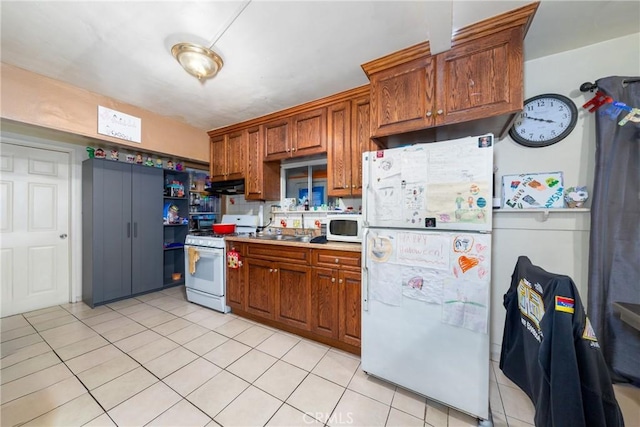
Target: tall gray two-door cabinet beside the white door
x=121 y=230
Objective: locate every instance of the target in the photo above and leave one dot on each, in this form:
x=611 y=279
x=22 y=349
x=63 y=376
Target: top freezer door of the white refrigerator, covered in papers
x=444 y=185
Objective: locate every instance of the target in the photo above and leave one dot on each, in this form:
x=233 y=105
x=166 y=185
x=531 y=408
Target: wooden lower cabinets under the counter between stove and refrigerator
x=313 y=293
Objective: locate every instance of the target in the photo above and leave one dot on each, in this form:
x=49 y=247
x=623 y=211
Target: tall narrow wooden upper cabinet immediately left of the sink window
x=262 y=179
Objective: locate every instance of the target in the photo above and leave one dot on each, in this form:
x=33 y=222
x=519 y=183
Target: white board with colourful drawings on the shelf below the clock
x=541 y=190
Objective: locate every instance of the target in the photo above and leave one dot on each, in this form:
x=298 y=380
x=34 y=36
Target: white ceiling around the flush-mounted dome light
x=277 y=54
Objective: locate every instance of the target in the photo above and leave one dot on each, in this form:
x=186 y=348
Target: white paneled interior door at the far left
x=34 y=227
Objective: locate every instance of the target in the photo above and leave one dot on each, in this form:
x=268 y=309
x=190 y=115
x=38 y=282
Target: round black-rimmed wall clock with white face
x=544 y=120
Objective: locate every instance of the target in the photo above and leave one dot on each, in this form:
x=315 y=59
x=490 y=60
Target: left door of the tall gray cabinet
x=113 y=230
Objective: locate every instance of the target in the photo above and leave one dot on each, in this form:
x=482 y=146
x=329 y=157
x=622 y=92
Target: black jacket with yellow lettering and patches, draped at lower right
x=551 y=352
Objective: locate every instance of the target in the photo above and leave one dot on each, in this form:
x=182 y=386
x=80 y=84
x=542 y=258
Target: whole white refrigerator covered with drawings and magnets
x=427 y=268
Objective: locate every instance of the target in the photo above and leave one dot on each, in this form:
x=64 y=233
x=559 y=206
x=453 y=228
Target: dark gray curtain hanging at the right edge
x=614 y=258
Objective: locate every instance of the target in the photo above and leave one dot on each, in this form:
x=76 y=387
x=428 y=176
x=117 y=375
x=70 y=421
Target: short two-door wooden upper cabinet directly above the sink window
x=303 y=134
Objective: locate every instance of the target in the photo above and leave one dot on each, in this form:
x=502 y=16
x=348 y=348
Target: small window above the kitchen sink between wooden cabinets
x=306 y=180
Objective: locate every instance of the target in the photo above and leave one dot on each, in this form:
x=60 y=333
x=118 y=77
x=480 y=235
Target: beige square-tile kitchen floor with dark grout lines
x=160 y=360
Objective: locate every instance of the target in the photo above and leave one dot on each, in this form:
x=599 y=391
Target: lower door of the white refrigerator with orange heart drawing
x=426 y=323
